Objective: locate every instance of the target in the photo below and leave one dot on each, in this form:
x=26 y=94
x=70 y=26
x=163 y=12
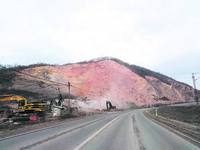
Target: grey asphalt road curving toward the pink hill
x=128 y=130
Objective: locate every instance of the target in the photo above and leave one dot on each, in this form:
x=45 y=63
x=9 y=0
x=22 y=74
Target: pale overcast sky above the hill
x=161 y=35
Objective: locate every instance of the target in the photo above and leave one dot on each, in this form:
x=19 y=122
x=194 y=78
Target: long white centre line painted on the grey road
x=92 y=136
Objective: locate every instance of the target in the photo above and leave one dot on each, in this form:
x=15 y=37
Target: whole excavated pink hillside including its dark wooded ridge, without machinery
x=106 y=79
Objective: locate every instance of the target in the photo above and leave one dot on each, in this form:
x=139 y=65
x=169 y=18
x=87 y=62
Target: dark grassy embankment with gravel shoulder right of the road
x=183 y=121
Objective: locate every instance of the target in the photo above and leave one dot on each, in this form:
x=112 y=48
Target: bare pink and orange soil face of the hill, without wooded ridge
x=108 y=80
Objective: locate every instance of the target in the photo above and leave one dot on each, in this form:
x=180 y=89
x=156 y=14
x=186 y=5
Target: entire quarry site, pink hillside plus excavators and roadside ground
x=42 y=95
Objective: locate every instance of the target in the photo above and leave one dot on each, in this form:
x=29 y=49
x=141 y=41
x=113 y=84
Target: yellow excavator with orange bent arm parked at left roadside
x=14 y=106
